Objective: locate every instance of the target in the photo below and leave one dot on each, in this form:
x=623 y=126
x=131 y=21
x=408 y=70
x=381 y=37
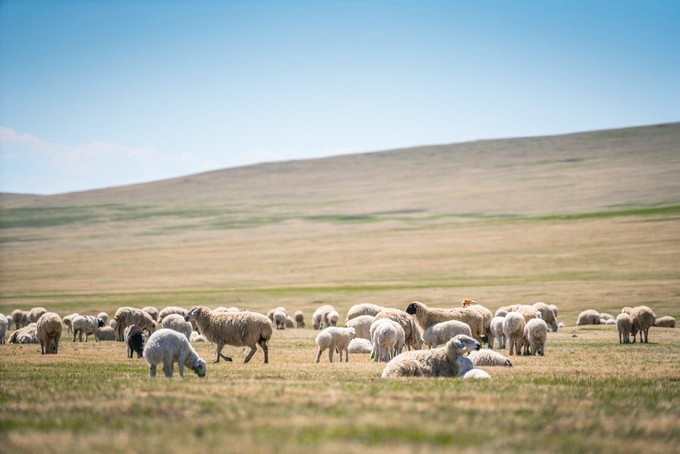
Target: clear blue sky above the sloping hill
x=102 y=93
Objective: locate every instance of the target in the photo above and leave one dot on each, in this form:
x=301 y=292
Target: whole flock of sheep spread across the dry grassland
x=165 y=337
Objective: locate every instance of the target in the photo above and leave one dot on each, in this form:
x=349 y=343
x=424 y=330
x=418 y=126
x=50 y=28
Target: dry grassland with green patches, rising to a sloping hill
x=585 y=220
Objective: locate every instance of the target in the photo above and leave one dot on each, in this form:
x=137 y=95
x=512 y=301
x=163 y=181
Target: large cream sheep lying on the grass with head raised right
x=438 y=362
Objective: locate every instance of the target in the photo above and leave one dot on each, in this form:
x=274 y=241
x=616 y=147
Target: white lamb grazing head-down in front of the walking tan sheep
x=167 y=346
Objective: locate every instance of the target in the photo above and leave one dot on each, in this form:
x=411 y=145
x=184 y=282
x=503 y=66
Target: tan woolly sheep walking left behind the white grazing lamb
x=233 y=328
